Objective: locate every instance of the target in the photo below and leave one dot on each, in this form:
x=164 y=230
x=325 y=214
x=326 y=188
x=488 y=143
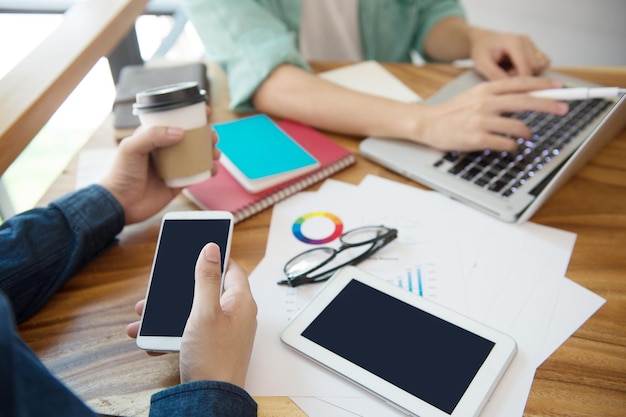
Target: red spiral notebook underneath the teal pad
x=224 y=192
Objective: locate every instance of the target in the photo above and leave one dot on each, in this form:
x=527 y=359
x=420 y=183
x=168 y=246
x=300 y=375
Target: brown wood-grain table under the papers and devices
x=80 y=333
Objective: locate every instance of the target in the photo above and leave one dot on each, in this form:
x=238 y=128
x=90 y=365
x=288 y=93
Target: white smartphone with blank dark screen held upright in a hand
x=170 y=289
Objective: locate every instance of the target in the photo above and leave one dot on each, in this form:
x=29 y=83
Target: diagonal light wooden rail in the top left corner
x=35 y=88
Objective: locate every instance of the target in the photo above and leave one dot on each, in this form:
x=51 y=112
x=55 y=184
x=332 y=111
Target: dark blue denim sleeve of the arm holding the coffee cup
x=42 y=248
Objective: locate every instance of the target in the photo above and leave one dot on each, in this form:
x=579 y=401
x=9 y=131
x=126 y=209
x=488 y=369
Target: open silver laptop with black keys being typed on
x=511 y=186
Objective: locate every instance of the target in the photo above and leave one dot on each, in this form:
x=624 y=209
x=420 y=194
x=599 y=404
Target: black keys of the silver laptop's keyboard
x=504 y=172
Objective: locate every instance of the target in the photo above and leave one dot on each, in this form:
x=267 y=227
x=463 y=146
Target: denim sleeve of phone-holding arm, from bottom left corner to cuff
x=29 y=389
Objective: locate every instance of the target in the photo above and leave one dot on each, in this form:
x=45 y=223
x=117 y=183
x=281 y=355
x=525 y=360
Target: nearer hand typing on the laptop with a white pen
x=474 y=119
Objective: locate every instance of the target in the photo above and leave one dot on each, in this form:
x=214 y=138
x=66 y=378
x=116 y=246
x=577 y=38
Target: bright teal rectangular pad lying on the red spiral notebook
x=259 y=148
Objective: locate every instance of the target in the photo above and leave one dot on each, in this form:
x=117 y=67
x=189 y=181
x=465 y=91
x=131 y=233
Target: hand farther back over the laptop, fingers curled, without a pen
x=501 y=55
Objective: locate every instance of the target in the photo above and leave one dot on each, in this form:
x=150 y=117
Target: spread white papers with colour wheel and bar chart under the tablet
x=511 y=277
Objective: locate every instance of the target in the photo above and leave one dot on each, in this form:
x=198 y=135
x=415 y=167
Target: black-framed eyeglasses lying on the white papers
x=315 y=265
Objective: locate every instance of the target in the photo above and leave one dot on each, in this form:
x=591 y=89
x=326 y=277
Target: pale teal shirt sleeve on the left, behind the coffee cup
x=247 y=40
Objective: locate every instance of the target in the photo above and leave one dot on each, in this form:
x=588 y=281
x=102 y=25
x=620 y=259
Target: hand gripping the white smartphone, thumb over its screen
x=219 y=334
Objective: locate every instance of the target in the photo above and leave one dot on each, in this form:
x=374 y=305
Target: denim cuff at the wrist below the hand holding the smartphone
x=203 y=398
